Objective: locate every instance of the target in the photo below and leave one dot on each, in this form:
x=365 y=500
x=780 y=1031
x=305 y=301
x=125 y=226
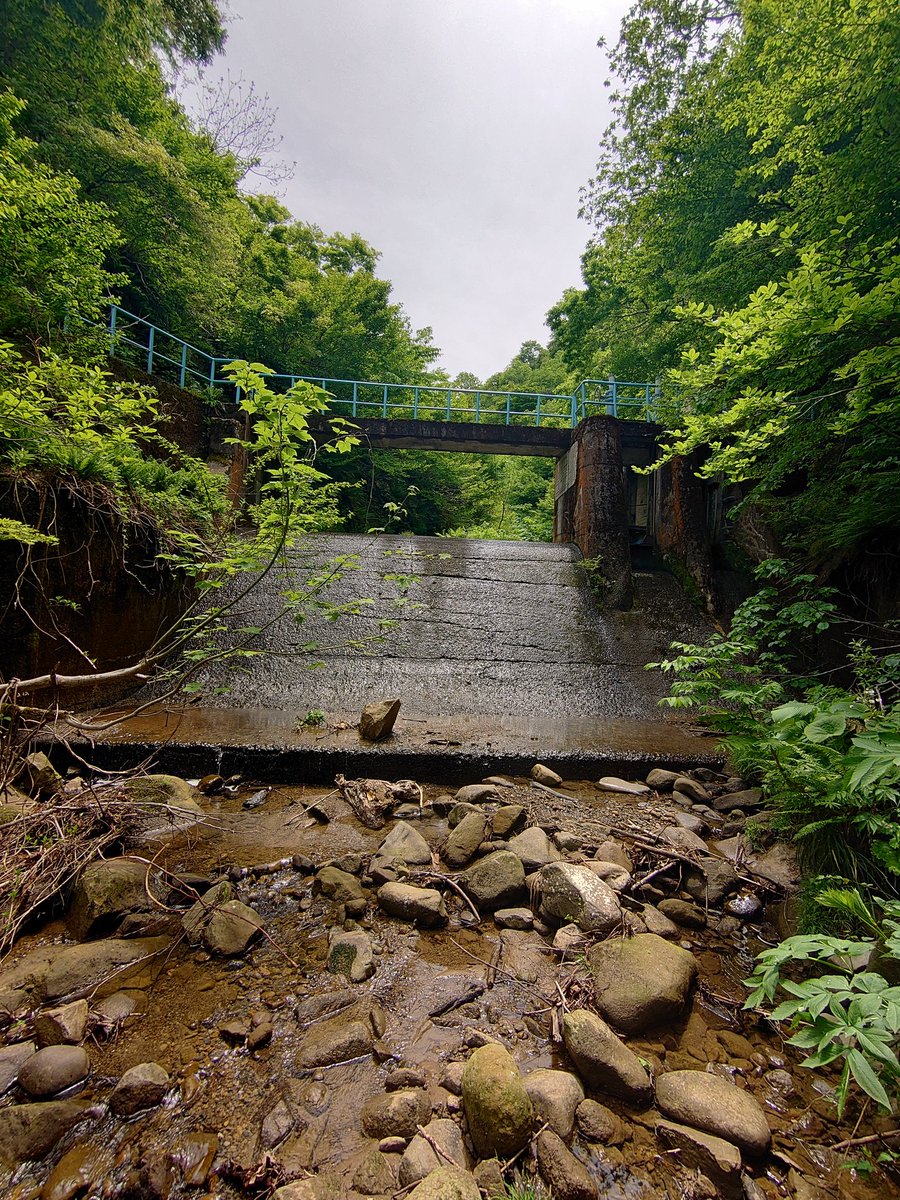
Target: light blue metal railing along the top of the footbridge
x=161 y=353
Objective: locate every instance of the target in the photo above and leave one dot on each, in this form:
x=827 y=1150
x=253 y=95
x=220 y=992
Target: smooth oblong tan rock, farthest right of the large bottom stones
x=716 y=1106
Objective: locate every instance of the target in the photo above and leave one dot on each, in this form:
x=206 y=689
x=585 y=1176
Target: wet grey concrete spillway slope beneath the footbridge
x=499 y=653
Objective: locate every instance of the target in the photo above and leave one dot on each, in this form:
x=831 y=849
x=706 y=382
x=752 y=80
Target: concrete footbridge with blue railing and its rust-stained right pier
x=597 y=436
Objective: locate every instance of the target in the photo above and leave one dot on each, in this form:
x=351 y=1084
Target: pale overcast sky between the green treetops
x=453 y=135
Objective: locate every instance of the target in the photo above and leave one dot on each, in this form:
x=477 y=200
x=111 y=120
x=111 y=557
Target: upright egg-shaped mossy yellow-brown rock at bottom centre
x=499 y=1109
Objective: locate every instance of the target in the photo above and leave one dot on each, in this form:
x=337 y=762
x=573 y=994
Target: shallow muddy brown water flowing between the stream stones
x=224 y=1094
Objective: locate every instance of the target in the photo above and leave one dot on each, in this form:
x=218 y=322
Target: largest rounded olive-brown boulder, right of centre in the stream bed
x=641 y=982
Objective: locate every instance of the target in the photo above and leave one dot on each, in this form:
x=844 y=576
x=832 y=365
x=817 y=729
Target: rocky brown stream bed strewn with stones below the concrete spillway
x=524 y=981
